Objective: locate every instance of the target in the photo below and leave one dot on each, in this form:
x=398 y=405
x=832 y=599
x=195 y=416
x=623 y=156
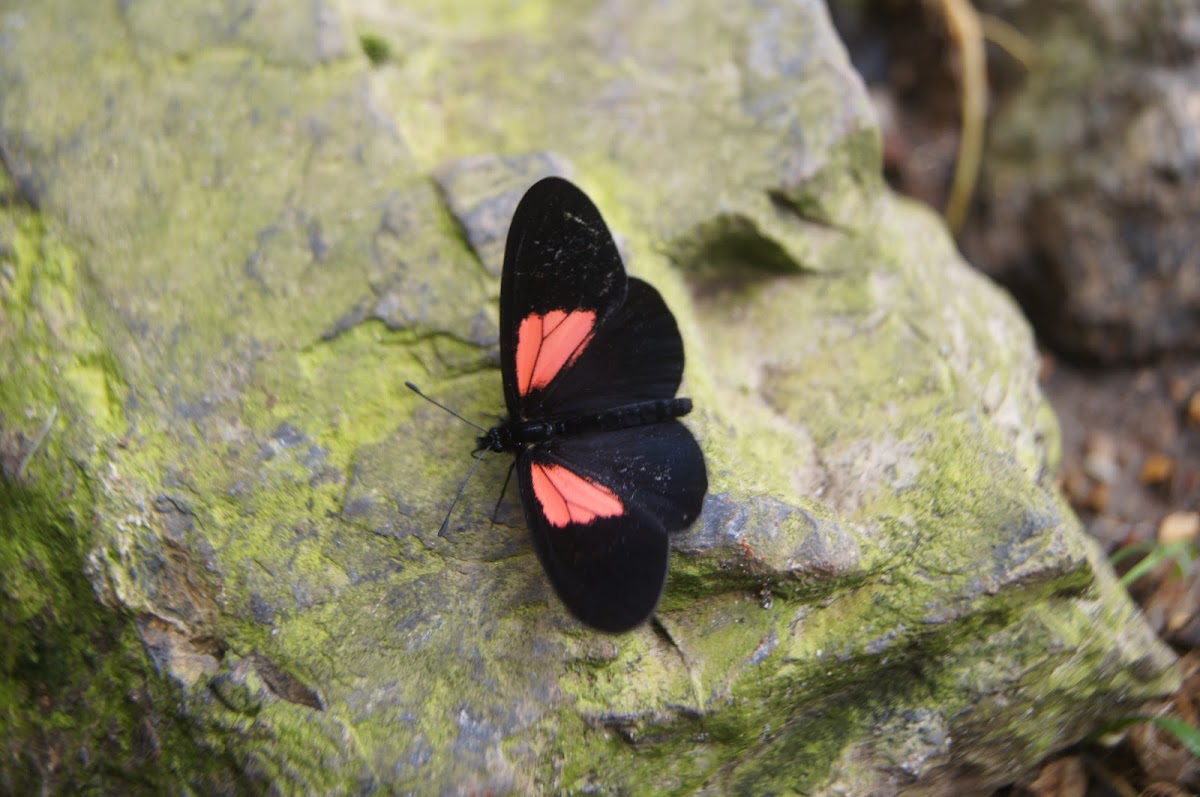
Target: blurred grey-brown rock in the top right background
x=1091 y=207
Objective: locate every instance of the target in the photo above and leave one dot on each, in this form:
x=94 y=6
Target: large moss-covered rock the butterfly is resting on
x=229 y=239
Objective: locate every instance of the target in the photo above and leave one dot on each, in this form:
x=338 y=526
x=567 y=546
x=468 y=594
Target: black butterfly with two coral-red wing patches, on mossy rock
x=591 y=362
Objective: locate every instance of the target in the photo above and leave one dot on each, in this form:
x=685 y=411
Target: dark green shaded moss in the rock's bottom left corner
x=79 y=702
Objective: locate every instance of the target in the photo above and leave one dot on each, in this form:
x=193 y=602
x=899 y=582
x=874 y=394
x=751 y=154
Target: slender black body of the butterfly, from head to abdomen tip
x=515 y=435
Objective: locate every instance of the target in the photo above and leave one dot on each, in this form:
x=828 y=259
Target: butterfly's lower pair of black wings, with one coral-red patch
x=601 y=508
